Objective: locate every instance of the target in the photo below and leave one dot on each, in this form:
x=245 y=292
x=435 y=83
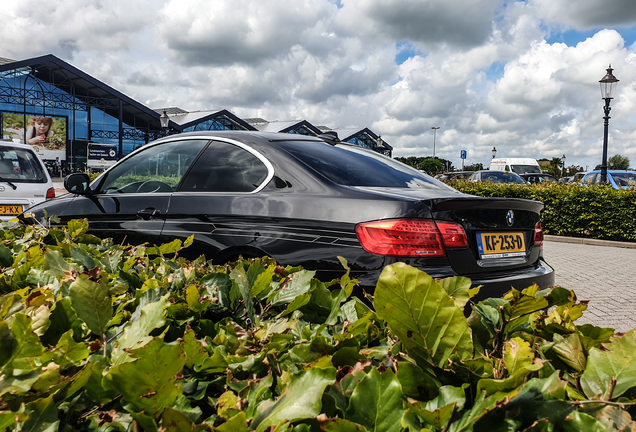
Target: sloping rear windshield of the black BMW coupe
x=351 y=165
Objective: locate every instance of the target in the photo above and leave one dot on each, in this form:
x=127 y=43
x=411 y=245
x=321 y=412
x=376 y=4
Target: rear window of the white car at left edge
x=20 y=165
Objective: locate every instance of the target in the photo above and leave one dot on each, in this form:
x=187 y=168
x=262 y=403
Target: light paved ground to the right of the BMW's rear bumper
x=605 y=276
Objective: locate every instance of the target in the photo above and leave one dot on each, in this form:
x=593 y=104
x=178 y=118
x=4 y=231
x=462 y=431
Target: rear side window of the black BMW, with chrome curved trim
x=225 y=167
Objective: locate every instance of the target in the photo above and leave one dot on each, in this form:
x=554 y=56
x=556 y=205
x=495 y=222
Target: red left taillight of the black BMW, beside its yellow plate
x=410 y=237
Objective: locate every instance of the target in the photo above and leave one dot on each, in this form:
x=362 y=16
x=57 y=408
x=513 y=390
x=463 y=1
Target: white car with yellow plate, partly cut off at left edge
x=24 y=180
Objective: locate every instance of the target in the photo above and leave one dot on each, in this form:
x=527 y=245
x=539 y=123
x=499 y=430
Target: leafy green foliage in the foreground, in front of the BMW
x=101 y=337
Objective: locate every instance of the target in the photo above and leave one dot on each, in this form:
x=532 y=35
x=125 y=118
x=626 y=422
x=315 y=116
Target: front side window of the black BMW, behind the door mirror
x=157 y=169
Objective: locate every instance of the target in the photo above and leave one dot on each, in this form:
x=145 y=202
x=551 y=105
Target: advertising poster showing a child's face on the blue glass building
x=47 y=134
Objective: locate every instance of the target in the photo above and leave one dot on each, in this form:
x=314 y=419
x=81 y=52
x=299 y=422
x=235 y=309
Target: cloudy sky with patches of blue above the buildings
x=519 y=76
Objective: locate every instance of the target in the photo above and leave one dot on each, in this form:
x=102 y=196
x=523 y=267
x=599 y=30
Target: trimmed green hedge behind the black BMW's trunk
x=597 y=212
